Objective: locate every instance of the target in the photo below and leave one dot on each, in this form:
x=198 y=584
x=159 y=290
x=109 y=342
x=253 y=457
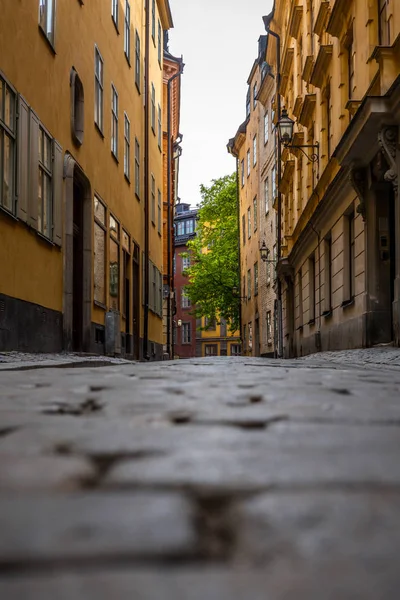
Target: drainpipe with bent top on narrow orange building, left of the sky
x=169 y=207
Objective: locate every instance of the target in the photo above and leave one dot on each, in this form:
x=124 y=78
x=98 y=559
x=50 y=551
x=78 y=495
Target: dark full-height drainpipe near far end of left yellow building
x=146 y=354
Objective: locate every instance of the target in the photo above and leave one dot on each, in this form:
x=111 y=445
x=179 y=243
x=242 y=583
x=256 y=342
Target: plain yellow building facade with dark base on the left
x=81 y=179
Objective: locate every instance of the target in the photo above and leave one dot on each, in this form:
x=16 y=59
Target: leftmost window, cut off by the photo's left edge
x=7 y=146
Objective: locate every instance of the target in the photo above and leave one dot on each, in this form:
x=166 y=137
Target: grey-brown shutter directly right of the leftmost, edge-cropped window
x=23 y=157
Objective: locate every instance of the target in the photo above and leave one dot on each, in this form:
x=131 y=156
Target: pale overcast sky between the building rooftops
x=219 y=42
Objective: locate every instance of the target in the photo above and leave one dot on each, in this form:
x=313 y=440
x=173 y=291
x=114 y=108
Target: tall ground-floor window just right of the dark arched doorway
x=99 y=267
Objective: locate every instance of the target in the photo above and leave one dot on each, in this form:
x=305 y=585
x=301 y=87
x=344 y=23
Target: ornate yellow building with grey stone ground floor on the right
x=340 y=259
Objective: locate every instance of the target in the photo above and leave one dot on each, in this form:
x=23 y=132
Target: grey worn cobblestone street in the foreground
x=206 y=479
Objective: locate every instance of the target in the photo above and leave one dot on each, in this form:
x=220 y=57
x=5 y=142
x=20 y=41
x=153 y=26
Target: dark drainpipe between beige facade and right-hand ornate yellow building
x=267 y=21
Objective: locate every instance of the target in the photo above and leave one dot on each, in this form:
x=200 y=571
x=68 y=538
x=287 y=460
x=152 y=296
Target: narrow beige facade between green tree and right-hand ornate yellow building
x=254 y=149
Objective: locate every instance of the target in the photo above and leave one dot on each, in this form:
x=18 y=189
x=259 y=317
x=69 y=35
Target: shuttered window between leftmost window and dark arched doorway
x=45 y=203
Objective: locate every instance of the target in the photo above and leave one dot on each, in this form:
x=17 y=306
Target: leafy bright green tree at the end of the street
x=213 y=274
